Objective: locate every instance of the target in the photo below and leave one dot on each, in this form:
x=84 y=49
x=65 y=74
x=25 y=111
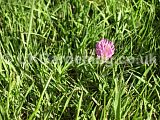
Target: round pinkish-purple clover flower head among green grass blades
x=105 y=49
